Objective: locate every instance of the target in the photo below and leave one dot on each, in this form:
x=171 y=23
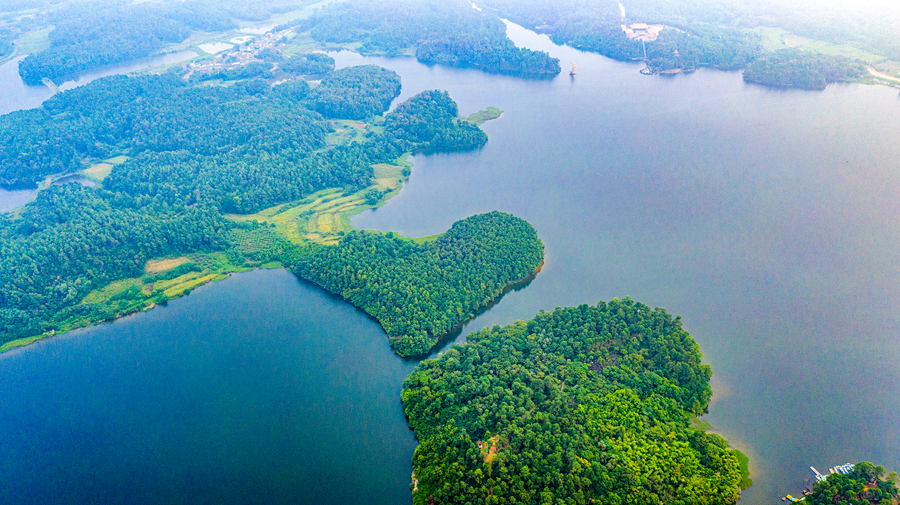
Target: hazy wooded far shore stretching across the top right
x=709 y=34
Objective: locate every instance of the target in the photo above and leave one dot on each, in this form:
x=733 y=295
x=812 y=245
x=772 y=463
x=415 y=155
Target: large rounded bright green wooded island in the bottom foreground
x=588 y=404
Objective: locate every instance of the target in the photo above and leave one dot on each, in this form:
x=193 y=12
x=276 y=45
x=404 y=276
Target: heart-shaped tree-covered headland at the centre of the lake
x=420 y=292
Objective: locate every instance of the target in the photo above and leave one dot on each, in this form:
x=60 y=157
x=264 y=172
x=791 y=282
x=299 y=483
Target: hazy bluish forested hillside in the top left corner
x=88 y=35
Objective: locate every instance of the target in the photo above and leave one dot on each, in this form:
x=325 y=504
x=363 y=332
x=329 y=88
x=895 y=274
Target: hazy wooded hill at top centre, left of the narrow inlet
x=443 y=32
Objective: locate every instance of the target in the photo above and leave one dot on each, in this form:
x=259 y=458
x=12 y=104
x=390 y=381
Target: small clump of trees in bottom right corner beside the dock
x=865 y=485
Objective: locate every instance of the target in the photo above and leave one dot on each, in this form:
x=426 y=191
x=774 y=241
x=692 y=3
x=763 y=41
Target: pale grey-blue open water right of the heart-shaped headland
x=769 y=219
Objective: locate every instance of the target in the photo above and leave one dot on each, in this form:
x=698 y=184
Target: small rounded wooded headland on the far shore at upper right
x=802 y=69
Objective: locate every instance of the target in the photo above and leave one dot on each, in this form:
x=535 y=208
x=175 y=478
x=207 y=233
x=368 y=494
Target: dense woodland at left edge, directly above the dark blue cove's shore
x=71 y=241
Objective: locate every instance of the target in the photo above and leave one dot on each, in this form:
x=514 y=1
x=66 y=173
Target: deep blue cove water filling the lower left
x=259 y=389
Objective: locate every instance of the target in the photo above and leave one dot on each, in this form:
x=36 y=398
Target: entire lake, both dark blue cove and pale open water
x=767 y=218
